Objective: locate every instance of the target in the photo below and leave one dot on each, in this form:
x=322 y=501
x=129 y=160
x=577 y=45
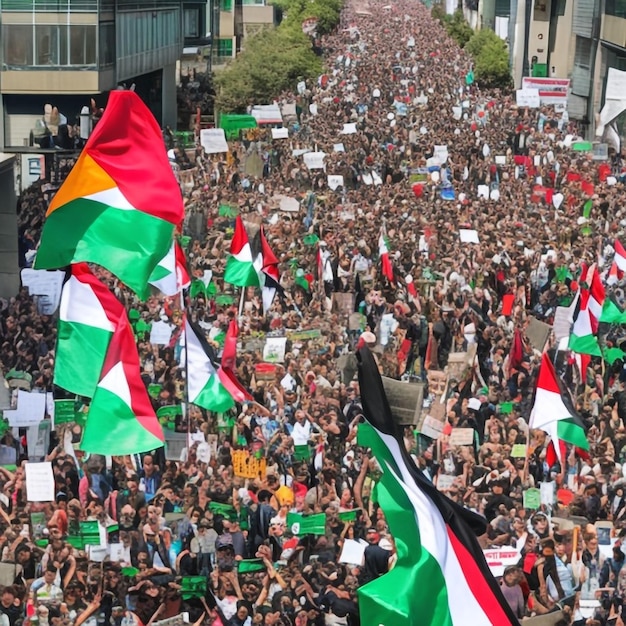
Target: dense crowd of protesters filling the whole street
x=511 y=175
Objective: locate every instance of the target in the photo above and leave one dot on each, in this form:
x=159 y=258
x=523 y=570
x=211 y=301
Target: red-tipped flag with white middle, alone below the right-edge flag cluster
x=554 y=413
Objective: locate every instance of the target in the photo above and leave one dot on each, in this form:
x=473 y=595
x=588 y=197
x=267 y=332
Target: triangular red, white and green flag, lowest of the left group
x=121 y=419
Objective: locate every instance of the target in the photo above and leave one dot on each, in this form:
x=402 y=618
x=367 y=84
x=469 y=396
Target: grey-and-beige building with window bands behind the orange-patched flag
x=63 y=53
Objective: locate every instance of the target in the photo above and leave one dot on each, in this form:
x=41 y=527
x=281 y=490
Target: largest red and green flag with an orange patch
x=120 y=204
